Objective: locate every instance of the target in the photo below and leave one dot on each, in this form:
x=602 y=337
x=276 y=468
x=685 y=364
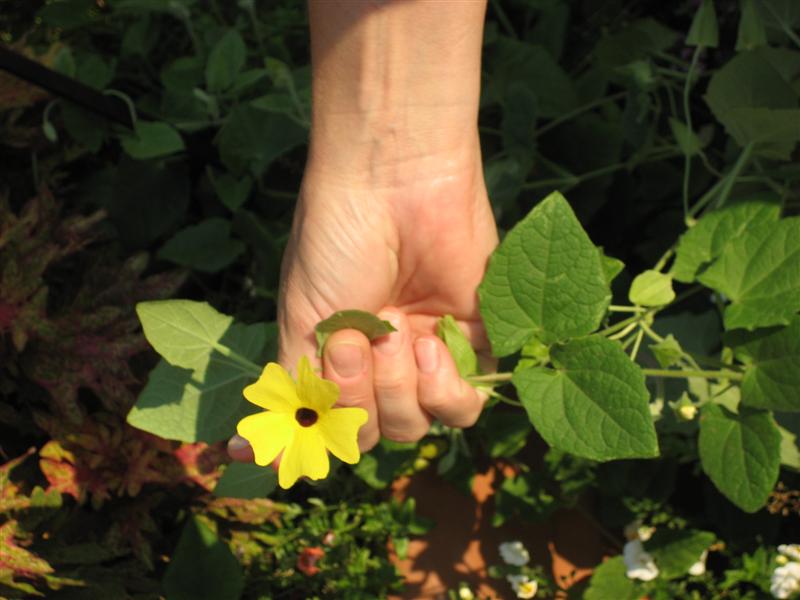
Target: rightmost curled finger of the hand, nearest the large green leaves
x=441 y=391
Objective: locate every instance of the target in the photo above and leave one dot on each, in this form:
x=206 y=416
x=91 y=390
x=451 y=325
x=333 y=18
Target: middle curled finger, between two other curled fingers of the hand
x=401 y=417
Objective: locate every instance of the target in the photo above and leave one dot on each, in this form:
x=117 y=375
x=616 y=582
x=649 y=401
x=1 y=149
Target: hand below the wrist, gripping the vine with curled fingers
x=409 y=253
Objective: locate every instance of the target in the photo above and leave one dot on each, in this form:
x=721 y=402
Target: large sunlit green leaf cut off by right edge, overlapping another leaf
x=760 y=272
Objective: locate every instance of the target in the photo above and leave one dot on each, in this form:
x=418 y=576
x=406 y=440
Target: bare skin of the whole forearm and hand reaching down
x=393 y=215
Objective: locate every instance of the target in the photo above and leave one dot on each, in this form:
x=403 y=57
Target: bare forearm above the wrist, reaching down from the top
x=395 y=88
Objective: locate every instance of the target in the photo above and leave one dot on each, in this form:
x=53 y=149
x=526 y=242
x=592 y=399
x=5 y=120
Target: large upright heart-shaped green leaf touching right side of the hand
x=546 y=279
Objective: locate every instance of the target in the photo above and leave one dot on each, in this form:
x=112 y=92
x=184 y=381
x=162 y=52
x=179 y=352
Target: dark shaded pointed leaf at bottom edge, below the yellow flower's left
x=202 y=567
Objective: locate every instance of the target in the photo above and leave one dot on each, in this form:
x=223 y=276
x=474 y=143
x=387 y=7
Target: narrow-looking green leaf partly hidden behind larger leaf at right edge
x=715 y=231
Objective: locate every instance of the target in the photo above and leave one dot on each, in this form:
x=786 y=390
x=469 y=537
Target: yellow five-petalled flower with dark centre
x=300 y=421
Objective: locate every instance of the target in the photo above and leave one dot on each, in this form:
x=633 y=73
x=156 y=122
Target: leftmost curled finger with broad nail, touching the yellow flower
x=347 y=361
